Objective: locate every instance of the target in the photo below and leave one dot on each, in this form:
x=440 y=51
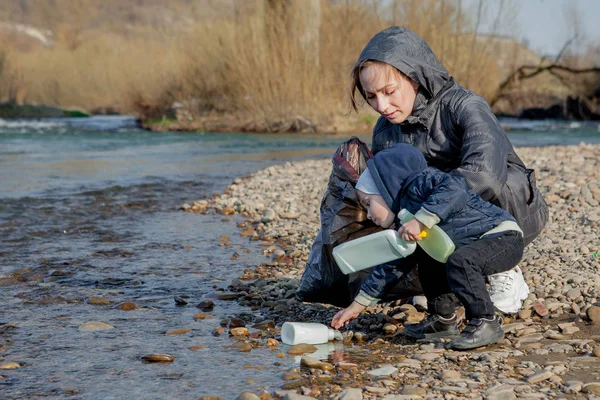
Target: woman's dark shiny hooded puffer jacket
x=456 y=131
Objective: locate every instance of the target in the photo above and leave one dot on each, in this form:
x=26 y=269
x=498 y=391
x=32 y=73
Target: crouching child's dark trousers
x=465 y=272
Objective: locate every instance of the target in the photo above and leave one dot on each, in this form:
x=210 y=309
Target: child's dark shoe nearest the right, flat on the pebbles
x=479 y=332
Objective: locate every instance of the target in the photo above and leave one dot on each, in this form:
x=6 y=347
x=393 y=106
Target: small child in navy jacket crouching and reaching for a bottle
x=487 y=239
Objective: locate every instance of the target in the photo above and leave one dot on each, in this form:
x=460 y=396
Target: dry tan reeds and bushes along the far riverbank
x=257 y=65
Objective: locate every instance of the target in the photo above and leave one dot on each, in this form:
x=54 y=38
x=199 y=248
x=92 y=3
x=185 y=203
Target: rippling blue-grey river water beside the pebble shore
x=91 y=208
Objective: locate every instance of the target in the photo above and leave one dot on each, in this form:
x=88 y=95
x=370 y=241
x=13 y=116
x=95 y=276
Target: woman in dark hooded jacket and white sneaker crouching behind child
x=398 y=75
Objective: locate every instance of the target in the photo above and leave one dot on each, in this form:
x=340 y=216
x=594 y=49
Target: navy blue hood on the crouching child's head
x=393 y=169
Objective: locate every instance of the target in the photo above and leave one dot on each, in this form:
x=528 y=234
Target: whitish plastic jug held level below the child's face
x=374 y=249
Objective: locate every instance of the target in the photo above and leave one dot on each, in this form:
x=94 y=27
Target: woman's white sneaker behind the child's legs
x=508 y=290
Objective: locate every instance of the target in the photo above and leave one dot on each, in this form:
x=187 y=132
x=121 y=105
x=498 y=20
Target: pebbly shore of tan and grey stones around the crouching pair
x=551 y=347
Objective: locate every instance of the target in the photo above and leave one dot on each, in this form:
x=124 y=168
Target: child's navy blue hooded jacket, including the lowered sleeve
x=405 y=181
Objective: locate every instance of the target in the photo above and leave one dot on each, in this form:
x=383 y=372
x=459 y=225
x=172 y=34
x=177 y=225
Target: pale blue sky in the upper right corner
x=546 y=25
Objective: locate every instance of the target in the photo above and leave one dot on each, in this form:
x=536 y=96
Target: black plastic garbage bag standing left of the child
x=343 y=219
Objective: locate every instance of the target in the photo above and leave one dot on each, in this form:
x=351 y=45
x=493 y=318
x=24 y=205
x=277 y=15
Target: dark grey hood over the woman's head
x=409 y=53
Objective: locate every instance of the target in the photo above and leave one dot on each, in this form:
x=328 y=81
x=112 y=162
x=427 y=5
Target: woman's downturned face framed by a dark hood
x=389 y=92
